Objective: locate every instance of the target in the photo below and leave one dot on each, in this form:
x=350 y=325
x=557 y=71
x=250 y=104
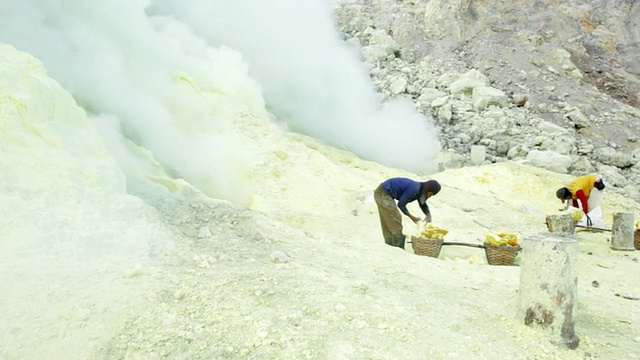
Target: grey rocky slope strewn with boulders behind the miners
x=556 y=83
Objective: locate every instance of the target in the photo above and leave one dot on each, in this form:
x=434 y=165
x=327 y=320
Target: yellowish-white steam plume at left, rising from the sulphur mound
x=160 y=85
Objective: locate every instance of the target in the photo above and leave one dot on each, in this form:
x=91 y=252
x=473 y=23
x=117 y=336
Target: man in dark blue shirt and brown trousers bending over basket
x=404 y=191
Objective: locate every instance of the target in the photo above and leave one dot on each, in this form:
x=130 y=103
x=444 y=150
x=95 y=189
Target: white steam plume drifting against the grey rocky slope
x=311 y=78
